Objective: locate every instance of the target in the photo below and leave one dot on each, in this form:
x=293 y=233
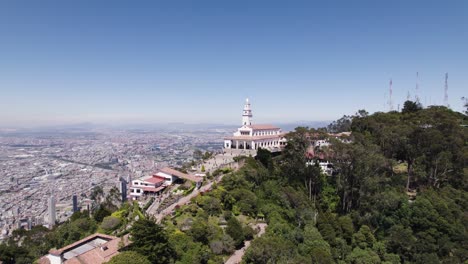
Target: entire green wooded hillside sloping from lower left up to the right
x=398 y=194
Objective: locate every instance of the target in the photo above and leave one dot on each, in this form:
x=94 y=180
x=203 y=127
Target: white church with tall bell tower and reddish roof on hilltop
x=250 y=136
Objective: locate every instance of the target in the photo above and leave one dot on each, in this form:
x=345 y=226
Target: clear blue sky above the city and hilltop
x=196 y=61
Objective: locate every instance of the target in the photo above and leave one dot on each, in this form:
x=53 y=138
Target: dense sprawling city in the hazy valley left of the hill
x=34 y=166
